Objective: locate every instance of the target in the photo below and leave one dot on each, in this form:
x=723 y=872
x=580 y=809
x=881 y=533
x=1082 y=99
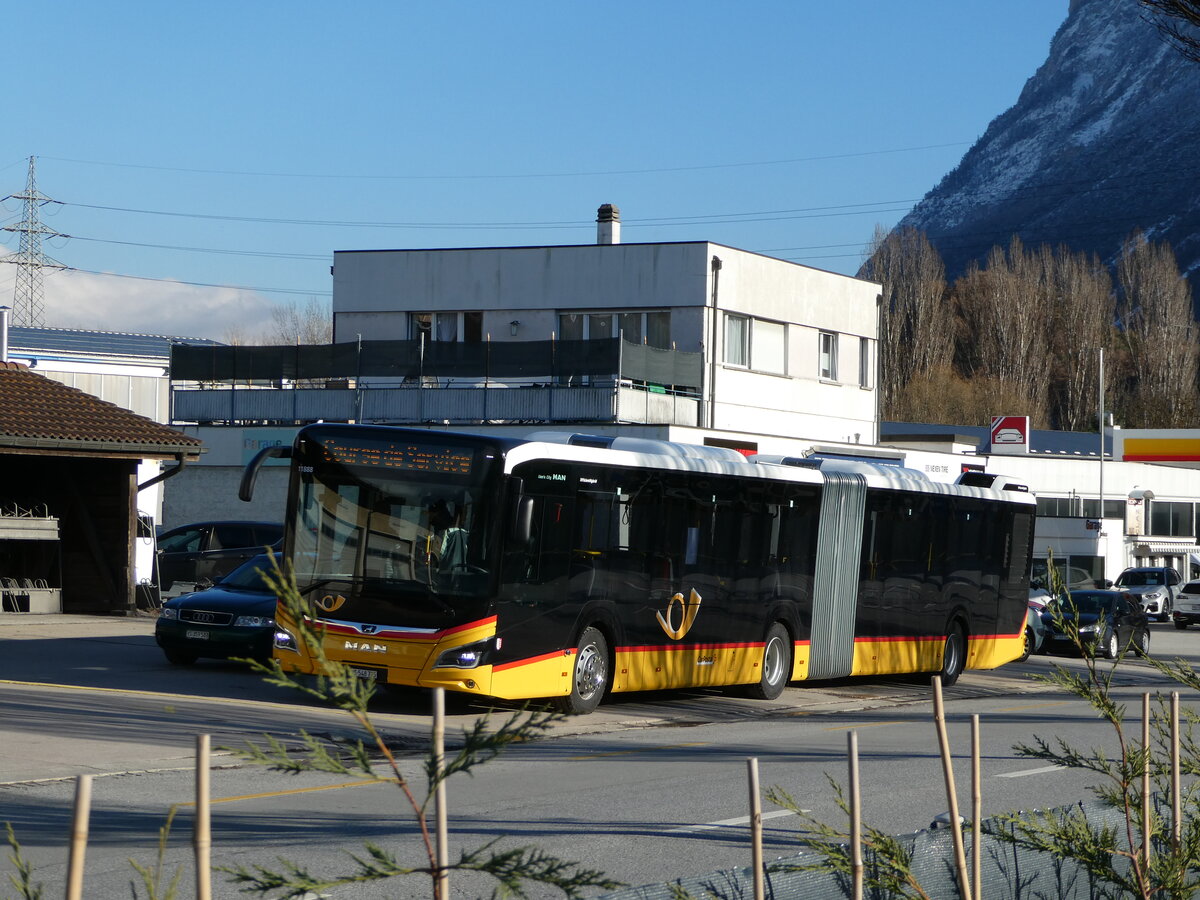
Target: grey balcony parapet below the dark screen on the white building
x=452 y=405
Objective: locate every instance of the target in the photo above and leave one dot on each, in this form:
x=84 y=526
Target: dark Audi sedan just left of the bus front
x=236 y=617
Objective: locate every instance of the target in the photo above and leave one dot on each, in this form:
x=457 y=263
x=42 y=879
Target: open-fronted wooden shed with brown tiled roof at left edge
x=69 y=488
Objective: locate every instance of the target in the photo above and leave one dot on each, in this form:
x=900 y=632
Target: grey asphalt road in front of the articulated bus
x=650 y=788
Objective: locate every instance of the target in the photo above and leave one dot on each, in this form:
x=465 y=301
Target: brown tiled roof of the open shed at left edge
x=39 y=412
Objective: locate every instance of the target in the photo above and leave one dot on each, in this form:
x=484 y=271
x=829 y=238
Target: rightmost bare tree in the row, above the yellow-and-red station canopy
x=1160 y=334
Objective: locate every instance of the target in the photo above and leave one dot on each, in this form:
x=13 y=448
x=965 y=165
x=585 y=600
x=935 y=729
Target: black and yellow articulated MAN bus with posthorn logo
x=569 y=566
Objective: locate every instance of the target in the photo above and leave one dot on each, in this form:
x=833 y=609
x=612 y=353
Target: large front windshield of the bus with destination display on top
x=394 y=517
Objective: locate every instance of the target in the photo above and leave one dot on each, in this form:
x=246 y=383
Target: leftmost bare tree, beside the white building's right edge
x=916 y=339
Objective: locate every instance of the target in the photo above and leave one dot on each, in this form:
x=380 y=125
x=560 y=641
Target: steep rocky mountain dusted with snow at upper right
x=1105 y=140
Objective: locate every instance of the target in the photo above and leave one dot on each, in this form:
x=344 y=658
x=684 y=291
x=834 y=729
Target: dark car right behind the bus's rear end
x=1111 y=622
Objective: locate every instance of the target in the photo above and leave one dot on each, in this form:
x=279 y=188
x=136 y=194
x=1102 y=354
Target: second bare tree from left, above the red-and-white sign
x=1004 y=310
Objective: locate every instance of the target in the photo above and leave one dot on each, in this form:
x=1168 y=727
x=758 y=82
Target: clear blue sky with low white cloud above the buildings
x=241 y=145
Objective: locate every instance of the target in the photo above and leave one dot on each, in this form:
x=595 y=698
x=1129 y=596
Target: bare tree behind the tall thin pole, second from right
x=1083 y=314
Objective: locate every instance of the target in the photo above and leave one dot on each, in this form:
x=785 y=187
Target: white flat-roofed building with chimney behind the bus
x=787 y=350
